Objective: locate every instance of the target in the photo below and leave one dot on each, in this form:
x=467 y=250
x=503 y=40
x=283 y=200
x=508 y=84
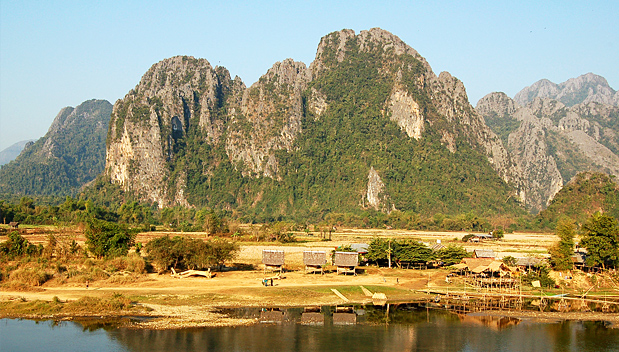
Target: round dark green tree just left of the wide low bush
x=108 y=239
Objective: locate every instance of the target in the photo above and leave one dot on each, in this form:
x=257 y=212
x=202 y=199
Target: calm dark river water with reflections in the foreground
x=402 y=328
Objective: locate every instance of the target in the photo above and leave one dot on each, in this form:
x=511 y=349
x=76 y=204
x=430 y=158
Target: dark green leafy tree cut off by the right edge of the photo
x=601 y=239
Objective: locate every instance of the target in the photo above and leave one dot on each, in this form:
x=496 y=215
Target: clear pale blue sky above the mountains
x=60 y=53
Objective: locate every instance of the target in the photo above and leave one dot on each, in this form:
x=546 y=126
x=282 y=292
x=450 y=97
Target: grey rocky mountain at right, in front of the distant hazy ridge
x=550 y=142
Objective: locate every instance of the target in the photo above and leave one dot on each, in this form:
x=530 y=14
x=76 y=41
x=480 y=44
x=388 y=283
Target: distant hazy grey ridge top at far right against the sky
x=583 y=89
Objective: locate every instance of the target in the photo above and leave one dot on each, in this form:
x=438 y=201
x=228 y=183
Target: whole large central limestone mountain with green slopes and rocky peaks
x=309 y=140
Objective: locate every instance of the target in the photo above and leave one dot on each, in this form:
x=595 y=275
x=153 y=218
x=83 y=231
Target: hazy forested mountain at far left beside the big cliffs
x=71 y=154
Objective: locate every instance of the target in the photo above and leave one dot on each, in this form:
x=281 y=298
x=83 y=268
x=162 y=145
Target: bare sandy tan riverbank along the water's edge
x=169 y=303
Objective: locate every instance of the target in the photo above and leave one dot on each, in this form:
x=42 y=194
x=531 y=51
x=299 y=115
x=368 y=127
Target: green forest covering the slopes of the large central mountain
x=327 y=169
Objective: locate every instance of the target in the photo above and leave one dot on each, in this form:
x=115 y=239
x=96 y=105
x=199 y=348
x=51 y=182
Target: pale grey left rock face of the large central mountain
x=149 y=126
